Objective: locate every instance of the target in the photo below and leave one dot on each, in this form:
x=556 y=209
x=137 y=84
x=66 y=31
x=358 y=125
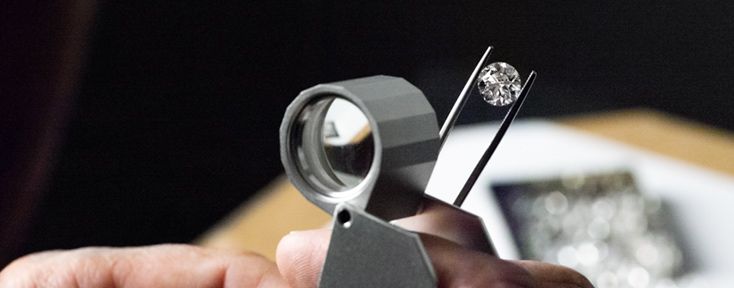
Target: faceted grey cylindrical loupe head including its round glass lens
x=369 y=142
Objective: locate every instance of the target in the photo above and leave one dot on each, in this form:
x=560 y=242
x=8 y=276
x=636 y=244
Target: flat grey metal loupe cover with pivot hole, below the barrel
x=367 y=252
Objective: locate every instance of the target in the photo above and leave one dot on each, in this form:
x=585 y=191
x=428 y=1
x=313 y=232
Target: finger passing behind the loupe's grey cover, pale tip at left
x=301 y=257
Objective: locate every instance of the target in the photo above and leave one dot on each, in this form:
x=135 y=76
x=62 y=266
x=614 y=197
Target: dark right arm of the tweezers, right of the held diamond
x=495 y=141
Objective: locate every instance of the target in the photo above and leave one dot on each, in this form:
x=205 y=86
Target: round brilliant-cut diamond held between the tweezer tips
x=499 y=83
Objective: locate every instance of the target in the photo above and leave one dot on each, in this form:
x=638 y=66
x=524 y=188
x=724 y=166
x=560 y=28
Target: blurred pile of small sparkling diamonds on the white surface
x=602 y=227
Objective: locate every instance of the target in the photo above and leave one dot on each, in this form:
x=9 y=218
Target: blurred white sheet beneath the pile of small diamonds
x=701 y=200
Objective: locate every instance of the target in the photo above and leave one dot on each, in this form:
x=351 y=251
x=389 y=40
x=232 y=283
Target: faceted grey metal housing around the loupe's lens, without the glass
x=406 y=141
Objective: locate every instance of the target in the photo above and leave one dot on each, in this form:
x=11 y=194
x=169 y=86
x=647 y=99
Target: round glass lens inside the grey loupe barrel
x=333 y=144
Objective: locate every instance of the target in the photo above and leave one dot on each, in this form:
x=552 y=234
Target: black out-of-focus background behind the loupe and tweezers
x=175 y=119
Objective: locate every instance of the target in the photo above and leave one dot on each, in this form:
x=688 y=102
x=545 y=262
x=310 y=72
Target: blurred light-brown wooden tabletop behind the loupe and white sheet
x=279 y=208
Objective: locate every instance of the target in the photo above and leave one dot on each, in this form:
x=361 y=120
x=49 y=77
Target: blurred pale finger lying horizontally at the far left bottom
x=151 y=266
